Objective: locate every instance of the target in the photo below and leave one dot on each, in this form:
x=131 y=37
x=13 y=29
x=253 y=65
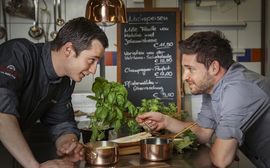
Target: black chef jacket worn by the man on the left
x=31 y=90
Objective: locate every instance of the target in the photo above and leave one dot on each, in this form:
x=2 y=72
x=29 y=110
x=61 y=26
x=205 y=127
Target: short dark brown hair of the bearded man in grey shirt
x=209 y=46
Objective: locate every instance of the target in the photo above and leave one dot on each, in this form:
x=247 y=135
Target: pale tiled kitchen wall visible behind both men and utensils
x=224 y=12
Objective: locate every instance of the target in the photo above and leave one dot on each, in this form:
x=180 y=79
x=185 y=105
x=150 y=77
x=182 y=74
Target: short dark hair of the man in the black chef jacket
x=80 y=32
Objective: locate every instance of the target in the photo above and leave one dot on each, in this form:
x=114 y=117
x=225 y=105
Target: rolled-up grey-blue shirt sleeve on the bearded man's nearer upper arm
x=239 y=104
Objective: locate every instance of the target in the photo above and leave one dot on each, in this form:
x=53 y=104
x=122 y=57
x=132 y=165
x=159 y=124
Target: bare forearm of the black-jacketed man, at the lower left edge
x=13 y=139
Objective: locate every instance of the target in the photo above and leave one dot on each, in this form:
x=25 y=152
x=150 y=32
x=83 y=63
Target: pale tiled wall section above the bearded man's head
x=225 y=12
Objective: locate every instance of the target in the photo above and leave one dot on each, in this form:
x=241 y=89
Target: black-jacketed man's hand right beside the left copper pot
x=68 y=147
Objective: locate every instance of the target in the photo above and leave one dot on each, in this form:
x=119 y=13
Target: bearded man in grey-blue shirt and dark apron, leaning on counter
x=235 y=106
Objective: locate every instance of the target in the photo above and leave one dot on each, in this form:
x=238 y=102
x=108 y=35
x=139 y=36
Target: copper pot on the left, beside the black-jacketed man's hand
x=102 y=153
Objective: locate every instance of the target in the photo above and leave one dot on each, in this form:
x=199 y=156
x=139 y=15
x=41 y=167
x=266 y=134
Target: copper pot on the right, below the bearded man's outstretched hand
x=156 y=149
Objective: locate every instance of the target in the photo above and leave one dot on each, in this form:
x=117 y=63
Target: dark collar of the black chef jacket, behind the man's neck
x=47 y=60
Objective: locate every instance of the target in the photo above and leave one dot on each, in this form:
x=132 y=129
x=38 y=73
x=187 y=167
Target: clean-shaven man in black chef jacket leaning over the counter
x=36 y=83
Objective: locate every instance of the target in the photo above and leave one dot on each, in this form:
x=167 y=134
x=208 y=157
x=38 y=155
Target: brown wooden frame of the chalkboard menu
x=176 y=33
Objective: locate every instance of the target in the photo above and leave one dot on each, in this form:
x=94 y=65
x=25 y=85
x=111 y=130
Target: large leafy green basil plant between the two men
x=111 y=106
